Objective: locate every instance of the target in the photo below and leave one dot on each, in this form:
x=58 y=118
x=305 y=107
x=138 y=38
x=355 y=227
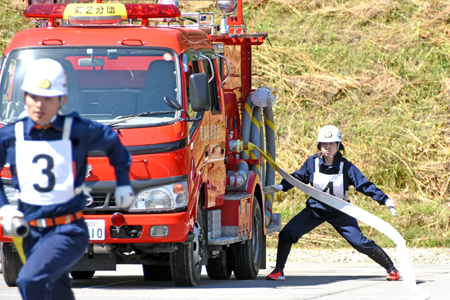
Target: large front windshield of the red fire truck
x=104 y=84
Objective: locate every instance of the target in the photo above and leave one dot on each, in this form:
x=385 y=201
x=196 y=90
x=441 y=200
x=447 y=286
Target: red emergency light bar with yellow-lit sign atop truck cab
x=100 y=13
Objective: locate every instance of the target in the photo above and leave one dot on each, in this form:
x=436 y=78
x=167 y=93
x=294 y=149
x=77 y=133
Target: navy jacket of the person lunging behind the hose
x=352 y=176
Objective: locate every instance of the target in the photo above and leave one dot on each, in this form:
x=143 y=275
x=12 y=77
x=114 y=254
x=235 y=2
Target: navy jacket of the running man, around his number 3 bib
x=86 y=135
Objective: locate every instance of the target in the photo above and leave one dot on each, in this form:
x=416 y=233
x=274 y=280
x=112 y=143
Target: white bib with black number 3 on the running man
x=44 y=168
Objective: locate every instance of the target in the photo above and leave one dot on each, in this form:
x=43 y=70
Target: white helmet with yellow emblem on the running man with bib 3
x=45 y=77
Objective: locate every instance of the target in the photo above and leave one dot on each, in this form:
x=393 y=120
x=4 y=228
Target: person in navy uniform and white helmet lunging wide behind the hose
x=330 y=172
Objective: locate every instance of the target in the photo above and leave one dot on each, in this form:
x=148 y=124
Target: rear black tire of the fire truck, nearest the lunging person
x=246 y=256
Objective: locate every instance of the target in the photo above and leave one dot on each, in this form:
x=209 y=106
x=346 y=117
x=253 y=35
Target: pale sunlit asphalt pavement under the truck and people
x=328 y=281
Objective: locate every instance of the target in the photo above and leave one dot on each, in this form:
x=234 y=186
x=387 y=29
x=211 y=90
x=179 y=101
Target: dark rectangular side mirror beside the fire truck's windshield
x=198 y=92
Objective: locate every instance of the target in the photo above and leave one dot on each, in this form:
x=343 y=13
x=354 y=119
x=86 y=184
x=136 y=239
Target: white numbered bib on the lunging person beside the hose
x=331 y=184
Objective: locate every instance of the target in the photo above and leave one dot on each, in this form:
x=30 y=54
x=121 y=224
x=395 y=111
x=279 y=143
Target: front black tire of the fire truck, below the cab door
x=186 y=262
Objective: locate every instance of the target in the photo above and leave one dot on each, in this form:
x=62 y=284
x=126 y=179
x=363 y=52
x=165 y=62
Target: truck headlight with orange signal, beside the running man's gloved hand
x=162 y=198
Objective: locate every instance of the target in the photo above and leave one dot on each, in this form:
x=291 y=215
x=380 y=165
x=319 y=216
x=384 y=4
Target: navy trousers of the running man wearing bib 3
x=50 y=252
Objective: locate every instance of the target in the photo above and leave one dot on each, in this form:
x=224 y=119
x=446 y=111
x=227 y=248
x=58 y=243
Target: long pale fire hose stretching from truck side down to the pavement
x=407 y=271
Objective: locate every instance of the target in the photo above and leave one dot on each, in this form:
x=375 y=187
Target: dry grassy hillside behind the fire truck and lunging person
x=377 y=69
